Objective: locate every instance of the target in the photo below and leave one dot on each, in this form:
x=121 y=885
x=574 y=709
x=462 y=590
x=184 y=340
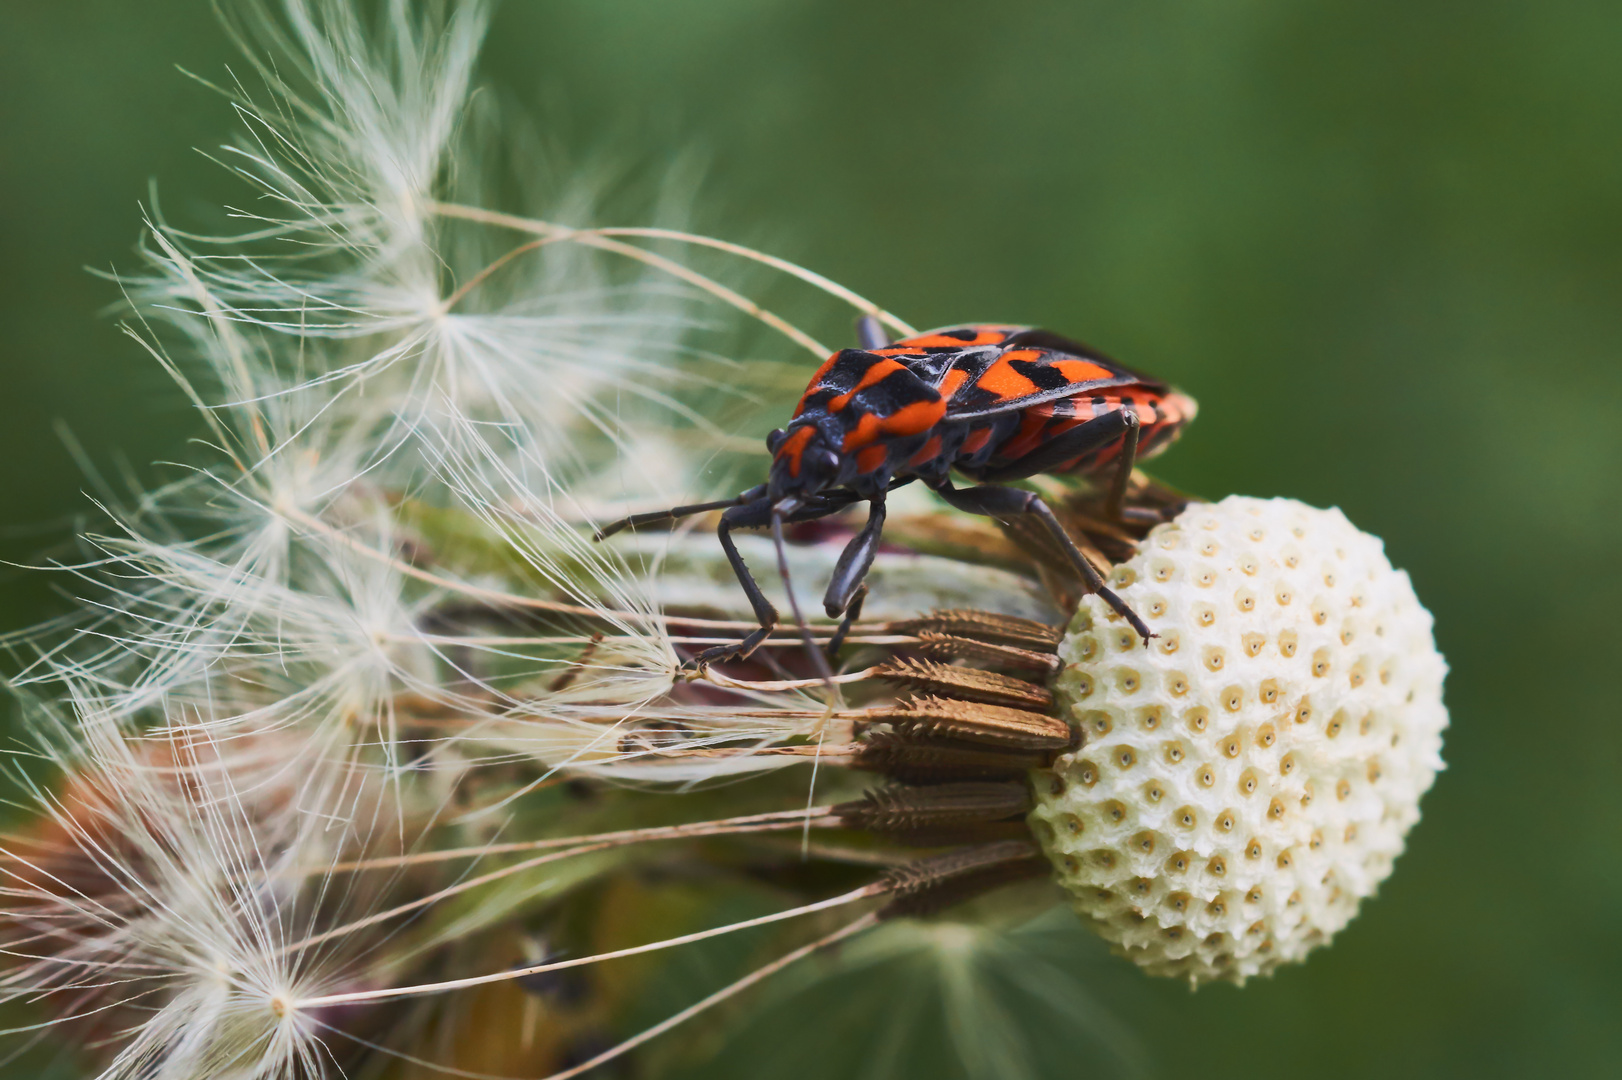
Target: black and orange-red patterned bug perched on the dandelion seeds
x=990 y=403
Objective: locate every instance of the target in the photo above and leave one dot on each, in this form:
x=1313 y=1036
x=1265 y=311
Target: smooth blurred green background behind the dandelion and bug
x=1381 y=242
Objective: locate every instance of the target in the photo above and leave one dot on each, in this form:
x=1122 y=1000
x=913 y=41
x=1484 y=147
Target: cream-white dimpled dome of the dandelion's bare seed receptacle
x=1248 y=779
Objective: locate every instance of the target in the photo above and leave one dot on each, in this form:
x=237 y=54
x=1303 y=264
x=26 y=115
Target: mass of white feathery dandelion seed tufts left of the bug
x=367 y=617
